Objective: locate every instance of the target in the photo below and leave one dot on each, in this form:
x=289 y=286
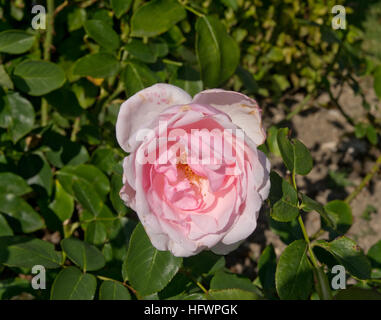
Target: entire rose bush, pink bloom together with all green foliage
x=63 y=78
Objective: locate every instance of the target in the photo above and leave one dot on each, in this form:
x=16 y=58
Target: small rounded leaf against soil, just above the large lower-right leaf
x=340 y=212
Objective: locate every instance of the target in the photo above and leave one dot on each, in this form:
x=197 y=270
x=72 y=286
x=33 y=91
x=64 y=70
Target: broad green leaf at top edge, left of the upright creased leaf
x=161 y=14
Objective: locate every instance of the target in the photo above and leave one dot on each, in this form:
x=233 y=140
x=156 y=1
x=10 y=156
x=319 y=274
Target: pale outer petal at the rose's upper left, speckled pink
x=138 y=111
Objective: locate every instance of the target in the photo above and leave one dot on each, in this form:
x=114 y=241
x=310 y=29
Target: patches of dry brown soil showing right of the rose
x=334 y=147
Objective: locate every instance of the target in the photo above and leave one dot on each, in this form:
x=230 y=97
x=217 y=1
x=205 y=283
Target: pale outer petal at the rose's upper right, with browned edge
x=243 y=110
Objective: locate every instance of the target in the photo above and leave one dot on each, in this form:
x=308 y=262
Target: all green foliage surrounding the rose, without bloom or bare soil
x=60 y=165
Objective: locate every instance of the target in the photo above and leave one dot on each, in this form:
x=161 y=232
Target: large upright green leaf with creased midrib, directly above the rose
x=217 y=53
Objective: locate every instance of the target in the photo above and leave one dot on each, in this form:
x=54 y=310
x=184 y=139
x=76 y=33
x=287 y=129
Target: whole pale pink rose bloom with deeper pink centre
x=194 y=174
